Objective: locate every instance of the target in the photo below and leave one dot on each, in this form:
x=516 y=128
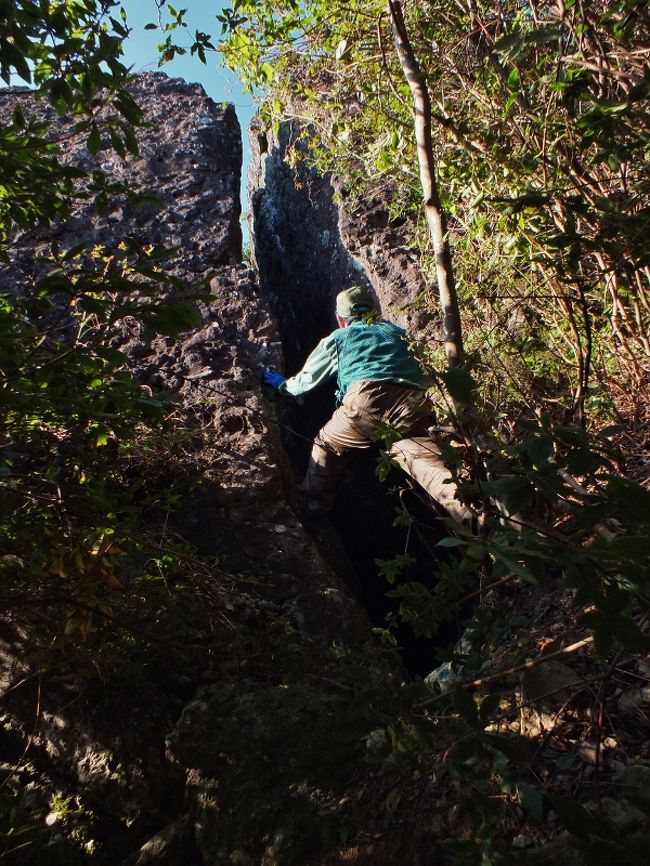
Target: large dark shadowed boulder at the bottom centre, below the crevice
x=274 y=758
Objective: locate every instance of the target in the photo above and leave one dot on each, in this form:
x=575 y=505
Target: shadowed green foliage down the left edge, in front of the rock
x=68 y=403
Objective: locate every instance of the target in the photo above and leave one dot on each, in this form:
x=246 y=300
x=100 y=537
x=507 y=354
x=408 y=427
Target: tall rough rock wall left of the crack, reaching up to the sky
x=191 y=160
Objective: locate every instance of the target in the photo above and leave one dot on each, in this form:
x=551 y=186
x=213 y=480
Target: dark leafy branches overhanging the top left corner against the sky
x=71 y=53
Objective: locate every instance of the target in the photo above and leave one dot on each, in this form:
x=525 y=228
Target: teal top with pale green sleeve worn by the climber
x=375 y=351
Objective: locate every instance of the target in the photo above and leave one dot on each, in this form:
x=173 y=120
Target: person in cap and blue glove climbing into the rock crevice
x=379 y=382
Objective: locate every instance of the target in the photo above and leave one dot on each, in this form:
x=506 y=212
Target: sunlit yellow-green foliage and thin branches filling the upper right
x=541 y=146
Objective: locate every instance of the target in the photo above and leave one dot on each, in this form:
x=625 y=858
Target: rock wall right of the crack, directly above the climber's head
x=311 y=242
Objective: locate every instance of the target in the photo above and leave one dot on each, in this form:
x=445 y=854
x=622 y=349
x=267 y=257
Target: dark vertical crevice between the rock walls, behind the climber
x=302 y=266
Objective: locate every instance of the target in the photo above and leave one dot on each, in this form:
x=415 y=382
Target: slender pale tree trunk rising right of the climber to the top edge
x=436 y=219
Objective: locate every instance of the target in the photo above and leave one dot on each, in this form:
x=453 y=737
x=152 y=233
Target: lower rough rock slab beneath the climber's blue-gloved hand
x=247 y=488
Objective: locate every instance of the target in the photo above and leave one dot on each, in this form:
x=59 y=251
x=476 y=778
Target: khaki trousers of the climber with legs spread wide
x=365 y=405
